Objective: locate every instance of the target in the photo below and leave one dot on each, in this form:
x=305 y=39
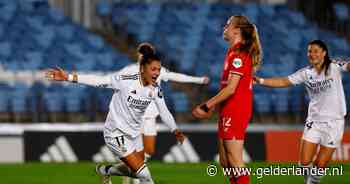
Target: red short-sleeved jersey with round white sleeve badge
x=240 y=102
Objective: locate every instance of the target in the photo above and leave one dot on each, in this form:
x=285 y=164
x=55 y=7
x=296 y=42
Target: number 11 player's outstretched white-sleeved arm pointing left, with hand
x=58 y=74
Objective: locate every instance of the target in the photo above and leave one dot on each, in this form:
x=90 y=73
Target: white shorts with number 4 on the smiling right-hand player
x=328 y=134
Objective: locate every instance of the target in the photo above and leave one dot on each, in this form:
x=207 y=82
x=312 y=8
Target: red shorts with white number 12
x=230 y=127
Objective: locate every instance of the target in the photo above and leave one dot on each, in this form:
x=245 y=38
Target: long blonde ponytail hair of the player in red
x=251 y=39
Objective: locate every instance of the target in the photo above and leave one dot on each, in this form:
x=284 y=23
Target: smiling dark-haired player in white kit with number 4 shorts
x=324 y=126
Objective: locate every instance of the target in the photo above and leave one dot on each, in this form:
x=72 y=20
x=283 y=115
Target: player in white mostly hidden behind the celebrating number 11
x=149 y=129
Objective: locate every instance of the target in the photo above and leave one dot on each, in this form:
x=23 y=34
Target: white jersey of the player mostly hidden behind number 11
x=165 y=75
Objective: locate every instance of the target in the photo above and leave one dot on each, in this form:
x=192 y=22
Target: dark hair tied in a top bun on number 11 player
x=147 y=53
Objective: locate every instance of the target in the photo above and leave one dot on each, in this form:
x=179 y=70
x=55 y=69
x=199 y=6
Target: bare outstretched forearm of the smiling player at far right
x=276 y=82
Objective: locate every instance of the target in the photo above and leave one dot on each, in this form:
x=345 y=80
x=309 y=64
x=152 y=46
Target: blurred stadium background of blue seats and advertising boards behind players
x=101 y=36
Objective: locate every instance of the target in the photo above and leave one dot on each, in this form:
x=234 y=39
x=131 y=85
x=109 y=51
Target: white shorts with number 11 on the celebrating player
x=121 y=144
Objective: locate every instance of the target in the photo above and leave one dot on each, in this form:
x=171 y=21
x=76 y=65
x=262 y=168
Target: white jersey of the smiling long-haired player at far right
x=327 y=99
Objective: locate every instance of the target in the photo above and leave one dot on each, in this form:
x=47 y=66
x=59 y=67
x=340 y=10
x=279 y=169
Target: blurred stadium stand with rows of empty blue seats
x=34 y=36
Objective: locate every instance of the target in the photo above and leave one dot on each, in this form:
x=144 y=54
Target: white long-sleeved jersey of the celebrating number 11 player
x=129 y=102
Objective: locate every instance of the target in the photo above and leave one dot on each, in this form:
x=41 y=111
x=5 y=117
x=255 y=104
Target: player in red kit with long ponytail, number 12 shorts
x=235 y=96
